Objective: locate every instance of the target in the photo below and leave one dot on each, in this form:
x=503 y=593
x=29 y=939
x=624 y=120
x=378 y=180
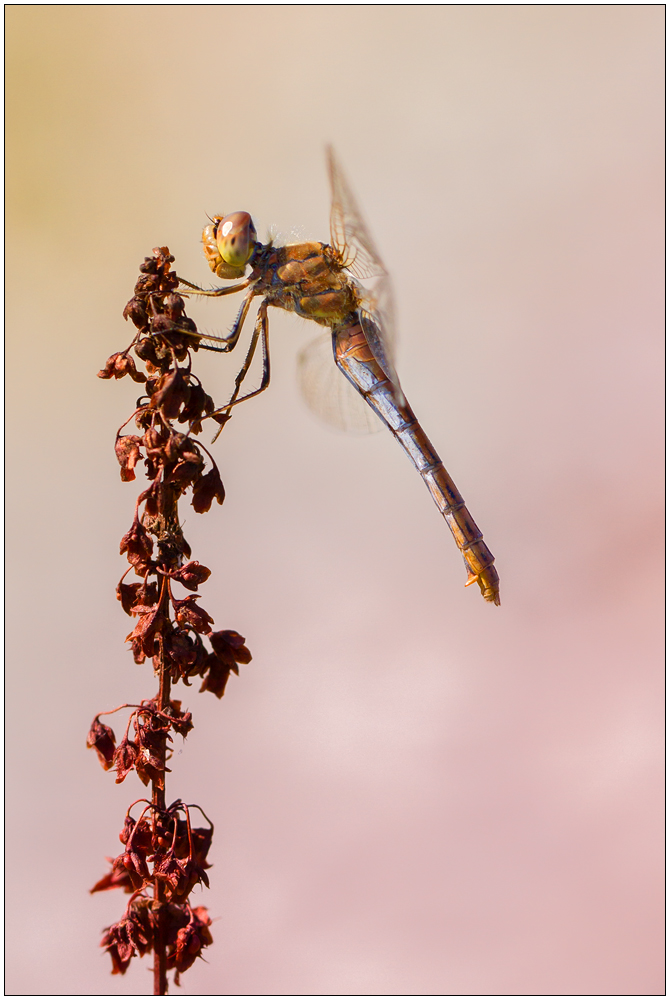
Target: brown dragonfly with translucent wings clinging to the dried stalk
x=344 y=286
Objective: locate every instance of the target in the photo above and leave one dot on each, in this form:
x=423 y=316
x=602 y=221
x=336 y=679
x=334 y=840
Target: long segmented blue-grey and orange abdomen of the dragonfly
x=355 y=359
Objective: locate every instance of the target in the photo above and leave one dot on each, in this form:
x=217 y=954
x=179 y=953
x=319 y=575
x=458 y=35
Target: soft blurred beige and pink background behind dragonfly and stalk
x=414 y=792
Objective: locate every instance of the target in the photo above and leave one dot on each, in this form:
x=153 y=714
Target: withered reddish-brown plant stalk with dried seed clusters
x=164 y=854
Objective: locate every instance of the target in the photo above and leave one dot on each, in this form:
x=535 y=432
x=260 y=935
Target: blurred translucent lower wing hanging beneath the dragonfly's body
x=329 y=394
